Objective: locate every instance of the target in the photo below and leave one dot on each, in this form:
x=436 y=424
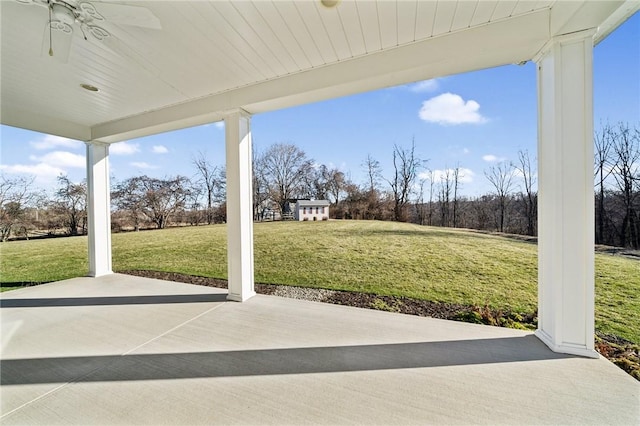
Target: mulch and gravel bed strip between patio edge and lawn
x=621 y=352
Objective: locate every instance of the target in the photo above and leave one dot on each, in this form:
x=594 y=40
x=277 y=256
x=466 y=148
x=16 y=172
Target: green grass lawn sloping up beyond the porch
x=378 y=257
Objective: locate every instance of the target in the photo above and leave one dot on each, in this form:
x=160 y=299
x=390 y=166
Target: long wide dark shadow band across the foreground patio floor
x=273 y=361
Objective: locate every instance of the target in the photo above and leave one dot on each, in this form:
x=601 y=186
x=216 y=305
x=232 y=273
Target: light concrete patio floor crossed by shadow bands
x=130 y=350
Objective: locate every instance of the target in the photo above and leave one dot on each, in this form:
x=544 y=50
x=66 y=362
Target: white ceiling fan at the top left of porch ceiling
x=67 y=16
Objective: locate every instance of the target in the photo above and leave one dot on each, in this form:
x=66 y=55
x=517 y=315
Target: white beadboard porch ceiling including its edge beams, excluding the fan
x=214 y=56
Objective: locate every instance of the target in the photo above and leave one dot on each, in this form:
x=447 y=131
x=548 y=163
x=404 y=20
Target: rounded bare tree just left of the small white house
x=285 y=167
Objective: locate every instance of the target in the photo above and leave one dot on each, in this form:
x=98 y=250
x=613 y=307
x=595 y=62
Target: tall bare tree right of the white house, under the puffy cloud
x=406 y=167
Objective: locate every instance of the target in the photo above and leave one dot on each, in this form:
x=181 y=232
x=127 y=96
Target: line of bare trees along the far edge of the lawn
x=410 y=192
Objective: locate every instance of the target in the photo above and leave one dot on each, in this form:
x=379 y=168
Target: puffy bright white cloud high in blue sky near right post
x=450 y=108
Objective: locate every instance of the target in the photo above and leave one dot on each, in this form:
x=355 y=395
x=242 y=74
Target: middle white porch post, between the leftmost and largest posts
x=239 y=205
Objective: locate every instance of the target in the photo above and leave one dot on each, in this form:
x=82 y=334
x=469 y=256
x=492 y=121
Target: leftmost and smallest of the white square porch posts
x=99 y=209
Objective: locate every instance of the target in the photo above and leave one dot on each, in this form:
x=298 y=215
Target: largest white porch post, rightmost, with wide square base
x=565 y=203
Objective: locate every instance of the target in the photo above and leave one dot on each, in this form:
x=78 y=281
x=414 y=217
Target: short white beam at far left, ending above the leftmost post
x=43 y=124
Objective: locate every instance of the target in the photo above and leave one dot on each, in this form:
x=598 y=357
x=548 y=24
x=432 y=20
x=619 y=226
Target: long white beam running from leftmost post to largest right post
x=508 y=41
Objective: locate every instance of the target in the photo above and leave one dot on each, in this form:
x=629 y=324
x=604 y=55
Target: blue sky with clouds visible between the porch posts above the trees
x=470 y=120
